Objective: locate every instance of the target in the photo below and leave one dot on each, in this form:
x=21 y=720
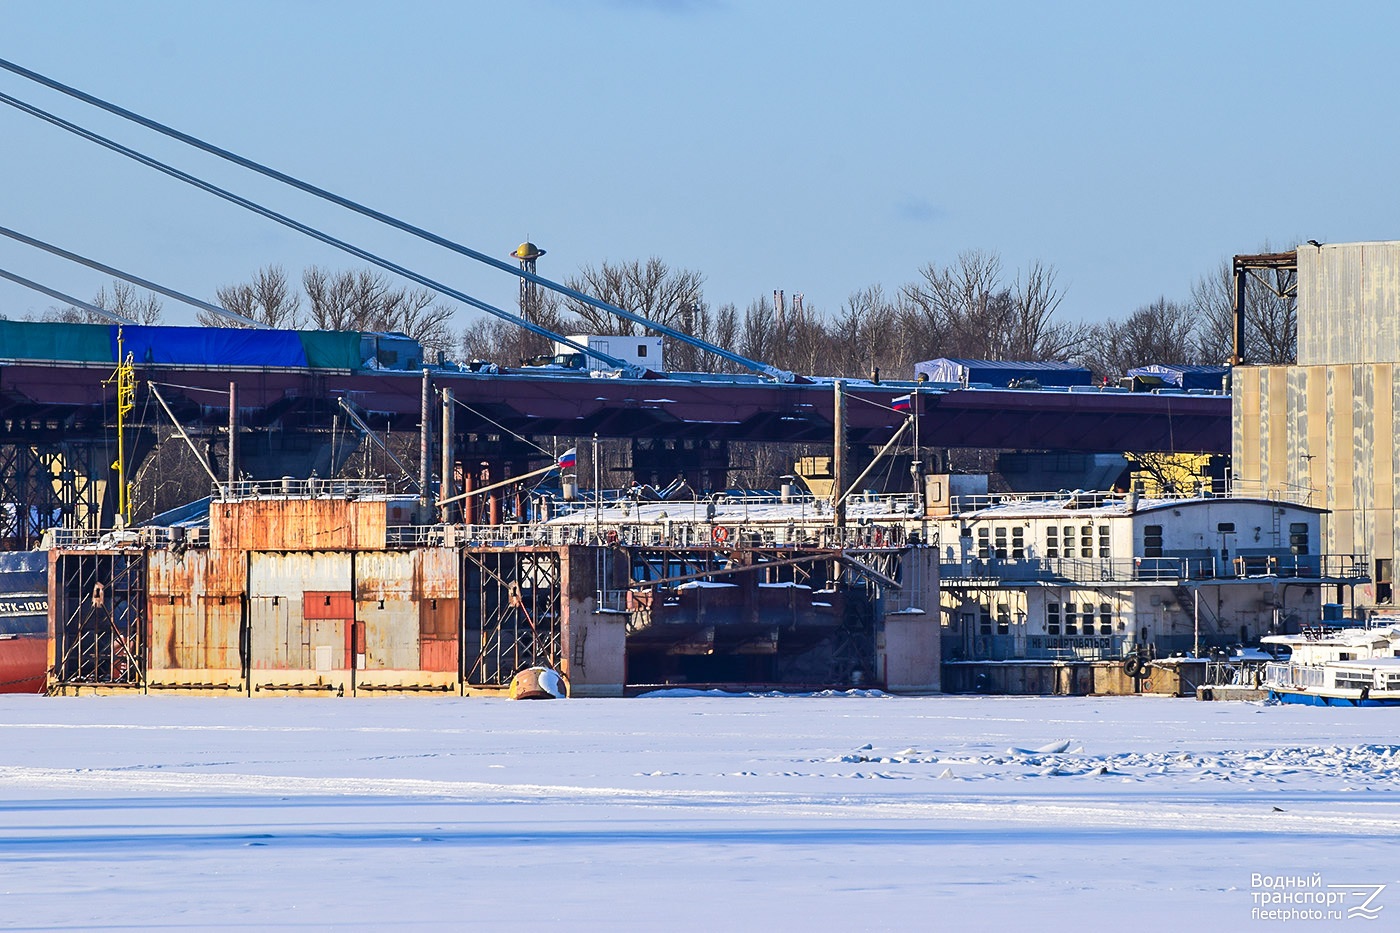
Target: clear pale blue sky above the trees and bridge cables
x=818 y=146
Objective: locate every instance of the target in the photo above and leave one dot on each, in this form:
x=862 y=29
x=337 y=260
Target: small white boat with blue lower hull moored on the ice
x=1338 y=668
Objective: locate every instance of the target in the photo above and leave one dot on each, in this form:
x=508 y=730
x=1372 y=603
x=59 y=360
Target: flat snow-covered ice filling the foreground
x=685 y=812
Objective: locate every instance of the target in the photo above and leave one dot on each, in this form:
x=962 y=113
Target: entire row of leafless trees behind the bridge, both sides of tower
x=967 y=309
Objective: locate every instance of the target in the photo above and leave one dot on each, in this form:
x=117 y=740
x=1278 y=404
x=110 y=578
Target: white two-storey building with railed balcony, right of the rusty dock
x=1091 y=576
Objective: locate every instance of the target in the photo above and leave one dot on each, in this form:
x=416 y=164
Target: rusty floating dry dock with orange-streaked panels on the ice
x=328 y=589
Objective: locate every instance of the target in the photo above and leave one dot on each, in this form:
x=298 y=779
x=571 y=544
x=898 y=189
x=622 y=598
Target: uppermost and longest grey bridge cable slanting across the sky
x=782 y=376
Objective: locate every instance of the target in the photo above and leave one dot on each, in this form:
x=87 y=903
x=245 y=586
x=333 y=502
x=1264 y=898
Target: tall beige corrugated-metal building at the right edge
x=1326 y=429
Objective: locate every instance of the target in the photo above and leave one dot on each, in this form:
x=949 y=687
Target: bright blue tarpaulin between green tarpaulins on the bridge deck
x=212 y=347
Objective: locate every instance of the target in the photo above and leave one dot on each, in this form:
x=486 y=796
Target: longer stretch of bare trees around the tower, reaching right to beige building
x=967 y=309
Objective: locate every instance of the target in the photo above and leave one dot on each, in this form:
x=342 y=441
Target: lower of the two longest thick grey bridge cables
x=300 y=228
